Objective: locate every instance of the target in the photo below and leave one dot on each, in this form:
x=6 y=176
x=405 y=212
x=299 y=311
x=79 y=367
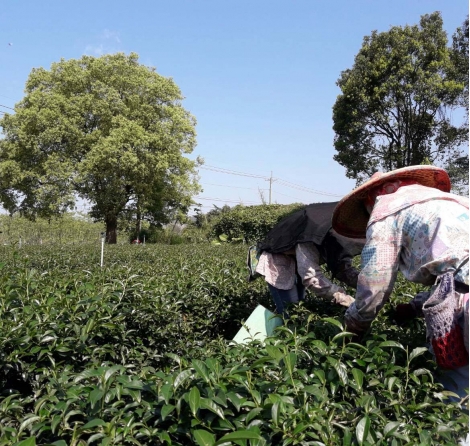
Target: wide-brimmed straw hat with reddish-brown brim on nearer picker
x=350 y=216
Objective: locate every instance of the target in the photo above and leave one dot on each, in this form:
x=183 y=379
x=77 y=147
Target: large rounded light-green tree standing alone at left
x=108 y=130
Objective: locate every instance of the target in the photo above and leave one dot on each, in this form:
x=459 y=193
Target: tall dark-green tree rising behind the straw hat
x=397 y=102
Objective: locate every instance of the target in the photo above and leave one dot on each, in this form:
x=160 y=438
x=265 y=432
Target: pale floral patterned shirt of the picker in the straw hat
x=423 y=236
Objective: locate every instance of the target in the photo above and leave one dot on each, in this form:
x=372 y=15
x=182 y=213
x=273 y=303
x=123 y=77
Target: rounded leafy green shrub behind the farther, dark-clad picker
x=251 y=222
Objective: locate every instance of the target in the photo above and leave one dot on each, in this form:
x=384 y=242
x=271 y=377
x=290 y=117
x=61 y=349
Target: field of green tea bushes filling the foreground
x=138 y=353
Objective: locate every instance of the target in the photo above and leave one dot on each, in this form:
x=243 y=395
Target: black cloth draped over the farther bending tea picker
x=312 y=224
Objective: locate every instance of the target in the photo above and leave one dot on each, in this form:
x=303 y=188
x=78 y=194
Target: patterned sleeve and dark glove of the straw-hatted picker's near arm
x=380 y=262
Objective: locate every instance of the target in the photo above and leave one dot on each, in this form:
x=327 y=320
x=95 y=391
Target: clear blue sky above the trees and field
x=259 y=76
